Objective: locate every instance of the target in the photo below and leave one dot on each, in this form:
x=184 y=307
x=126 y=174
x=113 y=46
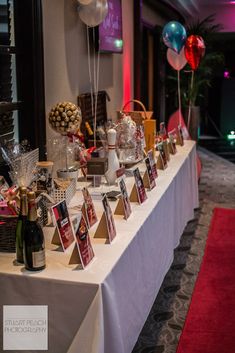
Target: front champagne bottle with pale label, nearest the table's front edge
x=34 y=248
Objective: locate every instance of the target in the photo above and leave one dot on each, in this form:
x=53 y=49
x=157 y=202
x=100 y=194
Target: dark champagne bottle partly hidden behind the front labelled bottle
x=20 y=226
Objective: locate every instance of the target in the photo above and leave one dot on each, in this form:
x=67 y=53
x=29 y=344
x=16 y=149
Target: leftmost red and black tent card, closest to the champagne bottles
x=64 y=230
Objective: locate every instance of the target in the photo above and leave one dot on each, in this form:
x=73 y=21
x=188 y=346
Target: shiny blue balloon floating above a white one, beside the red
x=174 y=35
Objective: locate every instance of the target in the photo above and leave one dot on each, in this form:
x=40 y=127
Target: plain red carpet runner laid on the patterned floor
x=210 y=323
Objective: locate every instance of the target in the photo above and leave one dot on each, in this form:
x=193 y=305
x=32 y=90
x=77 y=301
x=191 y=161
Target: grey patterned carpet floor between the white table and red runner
x=164 y=324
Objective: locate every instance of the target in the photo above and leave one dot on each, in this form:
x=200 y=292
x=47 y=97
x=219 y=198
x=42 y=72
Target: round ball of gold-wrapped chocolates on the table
x=65 y=117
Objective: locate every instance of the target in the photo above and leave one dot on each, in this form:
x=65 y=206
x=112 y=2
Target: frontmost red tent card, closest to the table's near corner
x=83 y=252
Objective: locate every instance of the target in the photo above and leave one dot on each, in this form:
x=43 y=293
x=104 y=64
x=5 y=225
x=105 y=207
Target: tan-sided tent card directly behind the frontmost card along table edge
x=106 y=228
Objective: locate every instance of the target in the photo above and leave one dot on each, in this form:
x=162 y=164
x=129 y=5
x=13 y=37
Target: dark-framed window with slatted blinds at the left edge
x=22 y=106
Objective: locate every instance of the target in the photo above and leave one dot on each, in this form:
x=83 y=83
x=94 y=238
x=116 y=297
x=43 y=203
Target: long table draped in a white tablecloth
x=102 y=309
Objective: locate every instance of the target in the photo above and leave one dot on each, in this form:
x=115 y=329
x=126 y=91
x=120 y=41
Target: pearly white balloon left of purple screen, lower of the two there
x=94 y=13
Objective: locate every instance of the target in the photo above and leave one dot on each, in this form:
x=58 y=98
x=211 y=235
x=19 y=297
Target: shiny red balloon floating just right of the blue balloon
x=194 y=50
